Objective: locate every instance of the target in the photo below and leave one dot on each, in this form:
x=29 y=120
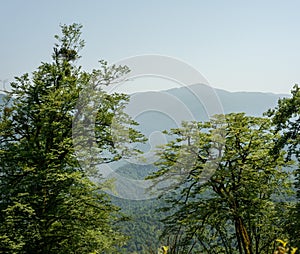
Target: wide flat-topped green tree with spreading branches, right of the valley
x=226 y=189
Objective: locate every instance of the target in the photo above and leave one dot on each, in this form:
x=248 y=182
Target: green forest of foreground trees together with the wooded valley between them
x=230 y=184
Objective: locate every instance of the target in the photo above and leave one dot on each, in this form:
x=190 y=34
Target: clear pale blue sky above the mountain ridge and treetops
x=235 y=45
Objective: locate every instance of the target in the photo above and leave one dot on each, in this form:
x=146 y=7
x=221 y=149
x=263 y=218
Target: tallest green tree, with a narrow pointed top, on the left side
x=48 y=203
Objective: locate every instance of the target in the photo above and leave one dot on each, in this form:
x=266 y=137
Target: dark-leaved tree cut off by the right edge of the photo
x=286 y=117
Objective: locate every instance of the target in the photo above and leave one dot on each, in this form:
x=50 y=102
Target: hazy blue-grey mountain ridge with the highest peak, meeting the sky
x=157 y=111
